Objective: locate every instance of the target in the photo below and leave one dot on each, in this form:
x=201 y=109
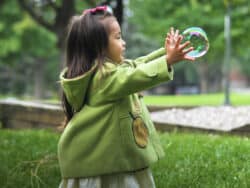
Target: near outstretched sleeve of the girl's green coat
x=122 y=80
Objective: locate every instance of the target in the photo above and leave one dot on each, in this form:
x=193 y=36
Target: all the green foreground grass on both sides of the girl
x=28 y=159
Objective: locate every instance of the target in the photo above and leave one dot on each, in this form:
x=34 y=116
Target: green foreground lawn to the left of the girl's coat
x=28 y=159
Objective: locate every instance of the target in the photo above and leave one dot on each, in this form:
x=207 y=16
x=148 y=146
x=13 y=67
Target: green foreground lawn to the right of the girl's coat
x=207 y=161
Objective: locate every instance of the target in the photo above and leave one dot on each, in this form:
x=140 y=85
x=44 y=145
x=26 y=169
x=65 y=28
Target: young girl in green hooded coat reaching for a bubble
x=109 y=140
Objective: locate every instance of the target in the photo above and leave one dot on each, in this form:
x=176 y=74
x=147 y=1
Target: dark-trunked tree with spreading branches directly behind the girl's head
x=55 y=15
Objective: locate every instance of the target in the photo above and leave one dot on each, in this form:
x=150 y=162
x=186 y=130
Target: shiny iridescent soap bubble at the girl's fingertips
x=198 y=39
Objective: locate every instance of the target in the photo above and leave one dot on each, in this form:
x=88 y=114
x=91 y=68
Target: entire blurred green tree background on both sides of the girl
x=32 y=34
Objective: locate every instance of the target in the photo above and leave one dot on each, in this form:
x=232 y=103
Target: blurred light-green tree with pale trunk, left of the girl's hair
x=36 y=56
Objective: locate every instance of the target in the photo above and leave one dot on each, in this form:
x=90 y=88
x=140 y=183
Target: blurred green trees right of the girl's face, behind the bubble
x=154 y=18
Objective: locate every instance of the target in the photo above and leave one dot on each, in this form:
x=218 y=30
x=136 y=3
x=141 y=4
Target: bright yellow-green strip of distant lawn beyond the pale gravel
x=196 y=100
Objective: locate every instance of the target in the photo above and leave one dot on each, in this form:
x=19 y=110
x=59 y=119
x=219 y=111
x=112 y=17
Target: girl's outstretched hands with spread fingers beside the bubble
x=174 y=49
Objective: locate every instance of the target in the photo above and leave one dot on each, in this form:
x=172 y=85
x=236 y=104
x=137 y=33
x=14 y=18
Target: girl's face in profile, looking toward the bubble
x=116 y=45
